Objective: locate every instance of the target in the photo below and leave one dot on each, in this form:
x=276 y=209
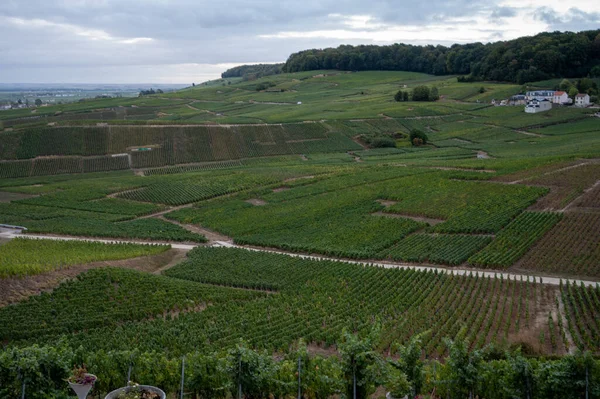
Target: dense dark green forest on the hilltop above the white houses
x=526 y=59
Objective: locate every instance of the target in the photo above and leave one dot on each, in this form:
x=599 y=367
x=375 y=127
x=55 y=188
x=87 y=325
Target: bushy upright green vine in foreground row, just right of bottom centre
x=363 y=367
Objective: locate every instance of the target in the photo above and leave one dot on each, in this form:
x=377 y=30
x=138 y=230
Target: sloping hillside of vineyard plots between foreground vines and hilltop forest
x=294 y=214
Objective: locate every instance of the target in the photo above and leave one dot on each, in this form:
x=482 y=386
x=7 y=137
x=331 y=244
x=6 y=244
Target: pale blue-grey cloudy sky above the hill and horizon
x=184 y=41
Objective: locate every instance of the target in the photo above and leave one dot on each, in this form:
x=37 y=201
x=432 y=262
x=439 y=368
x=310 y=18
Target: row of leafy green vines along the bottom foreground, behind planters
x=357 y=369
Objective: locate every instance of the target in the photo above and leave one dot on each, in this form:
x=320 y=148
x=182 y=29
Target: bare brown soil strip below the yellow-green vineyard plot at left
x=17 y=289
